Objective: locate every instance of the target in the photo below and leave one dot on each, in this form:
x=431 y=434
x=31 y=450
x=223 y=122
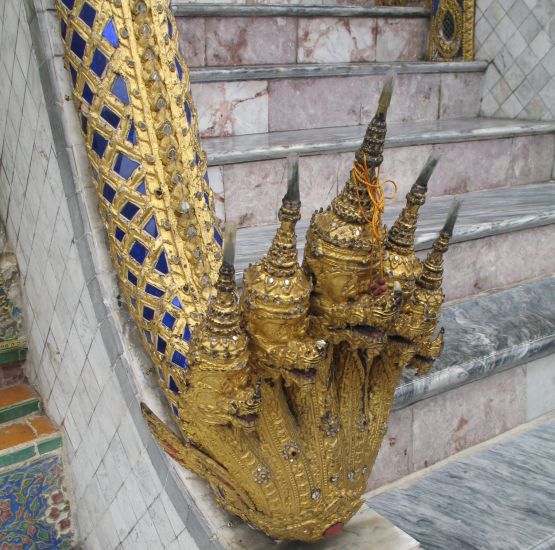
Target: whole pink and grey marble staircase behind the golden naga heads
x=269 y=80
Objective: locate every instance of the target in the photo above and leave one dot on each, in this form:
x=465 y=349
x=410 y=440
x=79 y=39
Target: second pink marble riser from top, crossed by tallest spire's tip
x=259 y=106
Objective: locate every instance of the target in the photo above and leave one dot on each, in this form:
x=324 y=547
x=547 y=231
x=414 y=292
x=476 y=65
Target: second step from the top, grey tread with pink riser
x=258 y=99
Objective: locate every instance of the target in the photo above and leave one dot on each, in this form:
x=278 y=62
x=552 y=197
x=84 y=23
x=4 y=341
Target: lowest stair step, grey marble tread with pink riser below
x=495 y=373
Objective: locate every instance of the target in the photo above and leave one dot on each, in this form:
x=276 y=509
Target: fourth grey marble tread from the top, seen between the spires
x=483 y=214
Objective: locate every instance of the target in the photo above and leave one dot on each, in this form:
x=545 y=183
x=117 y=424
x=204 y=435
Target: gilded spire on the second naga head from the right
x=400 y=238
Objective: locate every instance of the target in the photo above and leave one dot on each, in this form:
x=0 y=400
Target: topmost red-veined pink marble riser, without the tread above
x=221 y=41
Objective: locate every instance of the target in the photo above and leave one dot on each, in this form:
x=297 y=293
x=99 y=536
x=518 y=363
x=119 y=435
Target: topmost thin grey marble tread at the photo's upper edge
x=183 y=8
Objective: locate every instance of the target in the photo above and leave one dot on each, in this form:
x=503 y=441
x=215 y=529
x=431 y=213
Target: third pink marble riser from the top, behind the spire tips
x=253 y=190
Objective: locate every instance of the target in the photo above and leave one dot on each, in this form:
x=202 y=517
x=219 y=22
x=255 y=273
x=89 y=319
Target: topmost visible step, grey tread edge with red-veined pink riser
x=216 y=35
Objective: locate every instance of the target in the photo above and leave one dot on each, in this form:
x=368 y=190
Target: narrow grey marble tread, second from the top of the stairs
x=320 y=70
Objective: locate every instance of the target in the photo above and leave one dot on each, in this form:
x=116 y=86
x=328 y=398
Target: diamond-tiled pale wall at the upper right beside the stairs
x=519 y=38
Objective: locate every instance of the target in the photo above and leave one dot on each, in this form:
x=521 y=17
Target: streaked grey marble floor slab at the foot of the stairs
x=499 y=499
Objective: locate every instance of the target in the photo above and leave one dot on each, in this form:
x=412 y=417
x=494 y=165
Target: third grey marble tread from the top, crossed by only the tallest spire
x=342 y=139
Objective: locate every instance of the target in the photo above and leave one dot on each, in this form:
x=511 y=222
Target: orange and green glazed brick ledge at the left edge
x=27 y=440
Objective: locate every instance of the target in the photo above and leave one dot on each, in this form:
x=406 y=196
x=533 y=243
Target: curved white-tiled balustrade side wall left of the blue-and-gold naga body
x=88 y=375
